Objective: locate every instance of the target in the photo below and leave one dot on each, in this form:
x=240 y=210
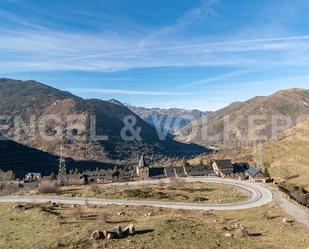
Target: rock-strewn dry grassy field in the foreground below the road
x=47 y=226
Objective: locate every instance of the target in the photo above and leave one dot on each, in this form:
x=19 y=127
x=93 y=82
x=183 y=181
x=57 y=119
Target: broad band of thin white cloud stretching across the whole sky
x=41 y=51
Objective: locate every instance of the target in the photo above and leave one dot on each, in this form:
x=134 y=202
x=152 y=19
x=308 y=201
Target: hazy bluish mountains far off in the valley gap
x=171 y=120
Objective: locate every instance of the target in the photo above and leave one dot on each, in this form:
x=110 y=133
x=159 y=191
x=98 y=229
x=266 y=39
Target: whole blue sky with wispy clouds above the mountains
x=189 y=54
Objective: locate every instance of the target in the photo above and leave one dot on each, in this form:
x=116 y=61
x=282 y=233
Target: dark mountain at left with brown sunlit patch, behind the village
x=33 y=100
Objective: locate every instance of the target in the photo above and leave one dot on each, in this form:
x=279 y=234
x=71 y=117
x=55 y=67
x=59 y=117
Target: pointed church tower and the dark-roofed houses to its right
x=220 y=168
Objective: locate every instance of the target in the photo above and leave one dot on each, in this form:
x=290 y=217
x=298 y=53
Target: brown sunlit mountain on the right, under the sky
x=292 y=102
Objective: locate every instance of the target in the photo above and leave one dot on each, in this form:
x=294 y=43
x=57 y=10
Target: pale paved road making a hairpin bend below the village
x=259 y=196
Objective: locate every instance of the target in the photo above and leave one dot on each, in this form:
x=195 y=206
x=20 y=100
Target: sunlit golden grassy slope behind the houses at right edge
x=287 y=157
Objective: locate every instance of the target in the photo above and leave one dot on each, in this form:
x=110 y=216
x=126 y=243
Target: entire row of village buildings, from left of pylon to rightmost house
x=143 y=171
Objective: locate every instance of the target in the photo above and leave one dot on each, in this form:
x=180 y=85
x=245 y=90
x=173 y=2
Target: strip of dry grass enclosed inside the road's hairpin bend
x=177 y=190
